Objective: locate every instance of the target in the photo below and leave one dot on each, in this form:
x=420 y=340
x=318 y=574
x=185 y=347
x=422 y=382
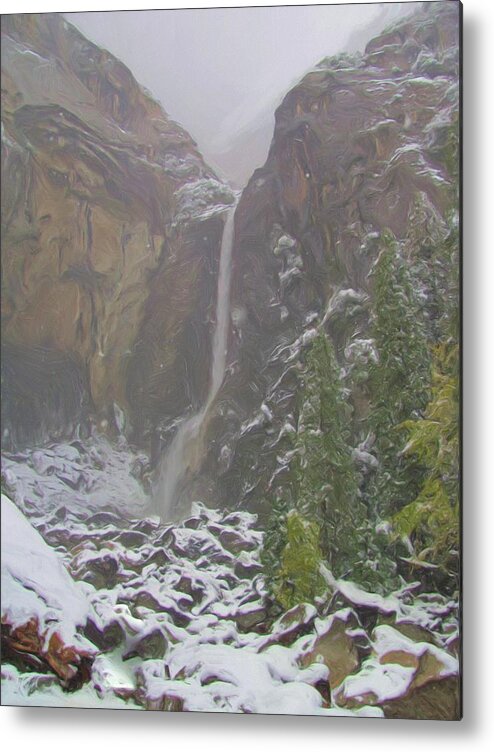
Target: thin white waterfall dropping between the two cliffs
x=178 y=457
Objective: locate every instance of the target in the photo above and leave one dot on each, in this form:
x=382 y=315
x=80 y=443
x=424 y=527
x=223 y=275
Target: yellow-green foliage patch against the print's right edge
x=432 y=519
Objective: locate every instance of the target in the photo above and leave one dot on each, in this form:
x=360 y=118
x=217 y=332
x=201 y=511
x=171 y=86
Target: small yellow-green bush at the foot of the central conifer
x=299 y=579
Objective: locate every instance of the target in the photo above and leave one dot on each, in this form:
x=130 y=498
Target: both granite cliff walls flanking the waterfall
x=112 y=227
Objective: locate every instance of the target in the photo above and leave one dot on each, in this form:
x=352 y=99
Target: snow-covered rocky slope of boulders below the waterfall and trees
x=141 y=615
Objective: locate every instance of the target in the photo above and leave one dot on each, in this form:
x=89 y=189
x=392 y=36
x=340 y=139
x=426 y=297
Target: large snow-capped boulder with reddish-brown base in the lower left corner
x=43 y=609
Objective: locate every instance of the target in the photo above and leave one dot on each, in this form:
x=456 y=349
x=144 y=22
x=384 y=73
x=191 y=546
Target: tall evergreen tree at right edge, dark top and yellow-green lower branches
x=431 y=520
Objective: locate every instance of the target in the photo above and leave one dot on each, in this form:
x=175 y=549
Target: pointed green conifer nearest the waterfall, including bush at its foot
x=322 y=485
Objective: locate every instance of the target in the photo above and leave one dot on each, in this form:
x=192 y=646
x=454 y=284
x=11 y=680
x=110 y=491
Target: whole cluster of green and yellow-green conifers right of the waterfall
x=326 y=511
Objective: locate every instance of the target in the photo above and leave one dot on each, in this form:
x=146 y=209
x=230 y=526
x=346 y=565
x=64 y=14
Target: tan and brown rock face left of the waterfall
x=111 y=228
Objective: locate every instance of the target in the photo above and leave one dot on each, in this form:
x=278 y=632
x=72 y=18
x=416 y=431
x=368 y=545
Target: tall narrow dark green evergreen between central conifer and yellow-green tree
x=399 y=382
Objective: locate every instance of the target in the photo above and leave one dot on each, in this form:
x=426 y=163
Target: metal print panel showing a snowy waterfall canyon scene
x=230 y=360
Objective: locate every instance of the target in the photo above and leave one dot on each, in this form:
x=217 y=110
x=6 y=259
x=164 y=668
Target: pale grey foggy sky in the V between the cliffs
x=222 y=72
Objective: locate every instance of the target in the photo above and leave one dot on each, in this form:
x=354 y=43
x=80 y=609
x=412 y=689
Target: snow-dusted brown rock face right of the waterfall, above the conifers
x=361 y=144
